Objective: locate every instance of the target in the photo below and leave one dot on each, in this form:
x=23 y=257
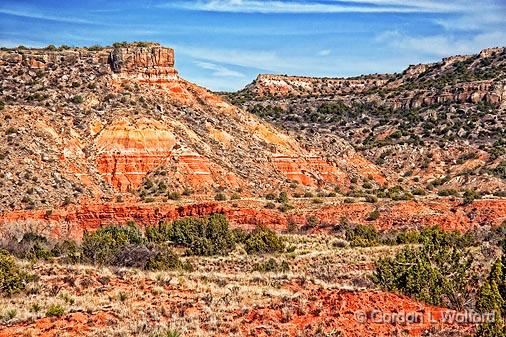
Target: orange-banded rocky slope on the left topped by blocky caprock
x=121 y=124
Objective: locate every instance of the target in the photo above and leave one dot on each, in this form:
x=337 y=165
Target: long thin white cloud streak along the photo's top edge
x=336 y=6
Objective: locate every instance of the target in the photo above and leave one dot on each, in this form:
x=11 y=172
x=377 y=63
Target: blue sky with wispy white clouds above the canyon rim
x=224 y=44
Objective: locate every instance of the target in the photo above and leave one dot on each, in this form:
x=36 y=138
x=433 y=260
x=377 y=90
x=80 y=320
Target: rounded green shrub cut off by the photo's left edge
x=12 y=279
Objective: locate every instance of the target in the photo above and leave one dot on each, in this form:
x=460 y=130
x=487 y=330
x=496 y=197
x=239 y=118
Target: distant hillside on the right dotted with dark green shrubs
x=435 y=125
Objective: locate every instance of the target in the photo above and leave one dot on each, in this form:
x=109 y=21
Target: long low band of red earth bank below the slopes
x=449 y=215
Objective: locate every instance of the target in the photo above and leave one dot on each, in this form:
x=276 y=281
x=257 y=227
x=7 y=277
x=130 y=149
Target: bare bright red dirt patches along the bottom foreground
x=354 y=314
